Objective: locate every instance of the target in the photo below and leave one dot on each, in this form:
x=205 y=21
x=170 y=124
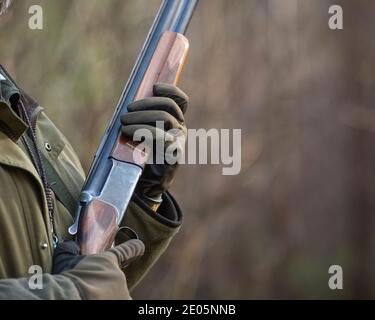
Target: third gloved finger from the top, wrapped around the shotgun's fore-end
x=150 y=118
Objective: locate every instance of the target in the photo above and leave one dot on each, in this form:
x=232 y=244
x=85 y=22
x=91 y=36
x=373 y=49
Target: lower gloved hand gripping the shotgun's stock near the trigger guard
x=97 y=276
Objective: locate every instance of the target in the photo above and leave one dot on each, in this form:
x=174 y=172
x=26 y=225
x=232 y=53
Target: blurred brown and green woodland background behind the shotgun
x=303 y=96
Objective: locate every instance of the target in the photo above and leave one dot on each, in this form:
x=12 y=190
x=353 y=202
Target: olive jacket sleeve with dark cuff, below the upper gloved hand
x=156 y=230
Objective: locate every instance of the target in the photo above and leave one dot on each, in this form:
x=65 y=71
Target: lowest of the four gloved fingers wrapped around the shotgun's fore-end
x=137 y=131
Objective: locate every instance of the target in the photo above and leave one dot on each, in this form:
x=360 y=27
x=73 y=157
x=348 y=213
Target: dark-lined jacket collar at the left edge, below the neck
x=10 y=96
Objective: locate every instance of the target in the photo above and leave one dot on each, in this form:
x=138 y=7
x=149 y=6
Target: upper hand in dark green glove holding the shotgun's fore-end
x=168 y=105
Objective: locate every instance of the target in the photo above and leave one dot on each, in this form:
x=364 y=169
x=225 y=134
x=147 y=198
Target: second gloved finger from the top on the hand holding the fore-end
x=158 y=103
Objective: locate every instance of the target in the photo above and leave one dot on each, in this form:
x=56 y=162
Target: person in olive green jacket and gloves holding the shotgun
x=35 y=158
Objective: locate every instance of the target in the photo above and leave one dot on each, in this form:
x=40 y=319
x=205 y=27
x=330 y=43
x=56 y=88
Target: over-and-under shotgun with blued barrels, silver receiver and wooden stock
x=118 y=163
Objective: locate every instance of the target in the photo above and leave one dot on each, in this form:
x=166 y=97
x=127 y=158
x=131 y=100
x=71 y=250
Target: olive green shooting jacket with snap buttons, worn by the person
x=25 y=228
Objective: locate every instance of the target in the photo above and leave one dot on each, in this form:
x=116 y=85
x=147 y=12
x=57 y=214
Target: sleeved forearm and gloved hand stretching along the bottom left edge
x=95 y=277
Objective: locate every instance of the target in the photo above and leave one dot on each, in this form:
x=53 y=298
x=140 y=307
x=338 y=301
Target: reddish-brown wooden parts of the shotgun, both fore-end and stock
x=98 y=224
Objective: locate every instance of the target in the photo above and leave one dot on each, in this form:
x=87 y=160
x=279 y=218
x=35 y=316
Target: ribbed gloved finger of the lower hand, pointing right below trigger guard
x=128 y=251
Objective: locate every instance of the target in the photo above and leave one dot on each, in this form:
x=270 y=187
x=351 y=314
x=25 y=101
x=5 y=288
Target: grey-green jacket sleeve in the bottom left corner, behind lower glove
x=54 y=287
